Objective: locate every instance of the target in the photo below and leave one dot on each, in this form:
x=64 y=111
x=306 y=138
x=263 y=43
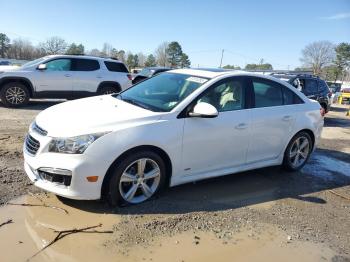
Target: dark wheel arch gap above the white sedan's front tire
x=158 y=150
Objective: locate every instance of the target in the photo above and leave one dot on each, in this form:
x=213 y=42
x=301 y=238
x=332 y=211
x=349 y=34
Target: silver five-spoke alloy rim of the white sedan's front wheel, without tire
x=139 y=181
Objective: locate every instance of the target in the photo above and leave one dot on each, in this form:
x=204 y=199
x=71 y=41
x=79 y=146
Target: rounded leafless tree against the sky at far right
x=317 y=55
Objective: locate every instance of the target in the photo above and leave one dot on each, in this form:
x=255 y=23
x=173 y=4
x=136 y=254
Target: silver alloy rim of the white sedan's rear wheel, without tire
x=299 y=151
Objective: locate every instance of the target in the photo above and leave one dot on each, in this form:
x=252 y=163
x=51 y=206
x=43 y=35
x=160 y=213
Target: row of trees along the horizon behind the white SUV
x=166 y=54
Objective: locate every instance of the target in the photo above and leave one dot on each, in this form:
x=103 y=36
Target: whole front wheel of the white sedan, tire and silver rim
x=136 y=179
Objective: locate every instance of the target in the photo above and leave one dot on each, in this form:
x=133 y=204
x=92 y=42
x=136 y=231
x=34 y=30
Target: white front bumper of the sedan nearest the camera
x=80 y=165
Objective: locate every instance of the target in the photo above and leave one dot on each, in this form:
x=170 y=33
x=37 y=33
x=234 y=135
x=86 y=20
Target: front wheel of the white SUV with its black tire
x=14 y=94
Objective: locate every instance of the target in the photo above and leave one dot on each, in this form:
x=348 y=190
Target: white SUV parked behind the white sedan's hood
x=63 y=76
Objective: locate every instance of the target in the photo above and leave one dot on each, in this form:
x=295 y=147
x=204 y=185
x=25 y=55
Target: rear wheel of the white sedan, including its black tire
x=289 y=159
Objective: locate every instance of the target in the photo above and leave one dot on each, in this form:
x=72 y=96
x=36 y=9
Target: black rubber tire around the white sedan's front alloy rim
x=114 y=195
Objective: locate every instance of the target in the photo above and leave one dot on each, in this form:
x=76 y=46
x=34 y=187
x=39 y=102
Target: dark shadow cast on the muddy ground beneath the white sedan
x=232 y=191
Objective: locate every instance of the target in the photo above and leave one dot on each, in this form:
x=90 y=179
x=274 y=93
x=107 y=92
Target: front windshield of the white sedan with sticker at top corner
x=162 y=92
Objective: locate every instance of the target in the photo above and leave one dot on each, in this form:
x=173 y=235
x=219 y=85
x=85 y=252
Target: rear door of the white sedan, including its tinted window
x=271 y=121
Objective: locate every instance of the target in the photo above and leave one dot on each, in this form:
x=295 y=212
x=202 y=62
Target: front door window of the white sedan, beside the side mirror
x=227 y=96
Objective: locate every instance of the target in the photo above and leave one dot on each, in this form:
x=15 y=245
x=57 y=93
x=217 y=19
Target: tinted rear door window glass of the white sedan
x=267 y=93
